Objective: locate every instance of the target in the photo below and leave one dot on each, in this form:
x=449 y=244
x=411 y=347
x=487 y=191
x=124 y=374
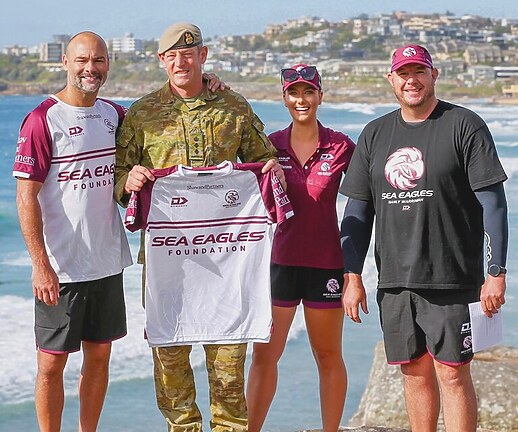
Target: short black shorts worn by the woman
x=317 y=288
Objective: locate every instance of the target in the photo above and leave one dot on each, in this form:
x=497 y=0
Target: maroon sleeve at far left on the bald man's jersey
x=34 y=148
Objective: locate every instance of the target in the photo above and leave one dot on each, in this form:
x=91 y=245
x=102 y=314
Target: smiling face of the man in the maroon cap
x=414 y=86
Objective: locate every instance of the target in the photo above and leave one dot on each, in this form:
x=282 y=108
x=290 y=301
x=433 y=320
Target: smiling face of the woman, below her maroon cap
x=302 y=101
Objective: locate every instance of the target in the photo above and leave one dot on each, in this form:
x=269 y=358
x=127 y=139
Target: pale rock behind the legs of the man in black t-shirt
x=495 y=376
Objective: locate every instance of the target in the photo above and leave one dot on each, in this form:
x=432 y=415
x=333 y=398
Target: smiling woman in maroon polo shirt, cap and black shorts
x=307 y=263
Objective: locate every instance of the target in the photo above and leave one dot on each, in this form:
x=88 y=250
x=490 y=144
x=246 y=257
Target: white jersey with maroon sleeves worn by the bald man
x=71 y=150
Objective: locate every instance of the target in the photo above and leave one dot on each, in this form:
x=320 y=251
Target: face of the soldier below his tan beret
x=184 y=69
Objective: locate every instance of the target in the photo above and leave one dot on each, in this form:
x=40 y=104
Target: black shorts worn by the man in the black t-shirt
x=433 y=320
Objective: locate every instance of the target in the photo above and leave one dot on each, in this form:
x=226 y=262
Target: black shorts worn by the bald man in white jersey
x=92 y=311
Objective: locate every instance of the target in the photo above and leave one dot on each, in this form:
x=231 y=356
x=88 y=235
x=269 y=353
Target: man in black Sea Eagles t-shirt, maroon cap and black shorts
x=430 y=173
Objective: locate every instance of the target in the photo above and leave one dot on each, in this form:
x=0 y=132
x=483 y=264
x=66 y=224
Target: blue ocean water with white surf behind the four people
x=130 y=404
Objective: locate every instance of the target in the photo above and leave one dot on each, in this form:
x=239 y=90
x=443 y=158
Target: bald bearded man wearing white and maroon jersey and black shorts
x=65 y=170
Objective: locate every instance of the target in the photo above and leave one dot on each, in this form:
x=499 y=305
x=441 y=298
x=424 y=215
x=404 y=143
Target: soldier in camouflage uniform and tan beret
x=185 y=123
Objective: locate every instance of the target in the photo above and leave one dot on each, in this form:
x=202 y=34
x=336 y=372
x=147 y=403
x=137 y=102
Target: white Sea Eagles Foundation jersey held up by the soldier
x=208 y=237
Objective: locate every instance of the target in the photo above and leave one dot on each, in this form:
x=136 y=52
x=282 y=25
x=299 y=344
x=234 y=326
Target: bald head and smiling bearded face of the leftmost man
x=86 y=62
